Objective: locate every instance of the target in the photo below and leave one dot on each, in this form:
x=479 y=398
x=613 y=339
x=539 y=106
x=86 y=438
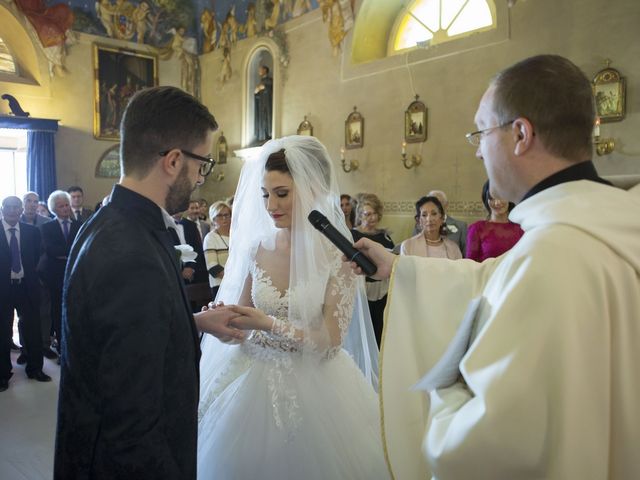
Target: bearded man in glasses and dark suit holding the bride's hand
x=129 y=363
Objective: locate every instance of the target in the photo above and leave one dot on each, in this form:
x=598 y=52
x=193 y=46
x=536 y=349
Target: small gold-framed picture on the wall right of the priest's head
x=609 y=92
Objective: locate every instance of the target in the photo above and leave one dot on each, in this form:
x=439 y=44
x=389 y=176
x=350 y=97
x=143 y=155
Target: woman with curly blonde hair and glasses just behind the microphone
x=368 y=215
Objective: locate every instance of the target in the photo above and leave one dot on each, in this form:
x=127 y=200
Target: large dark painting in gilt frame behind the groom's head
x=118 y=74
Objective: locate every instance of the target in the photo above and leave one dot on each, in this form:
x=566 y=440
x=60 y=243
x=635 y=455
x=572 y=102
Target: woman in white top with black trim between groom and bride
x=216 y=244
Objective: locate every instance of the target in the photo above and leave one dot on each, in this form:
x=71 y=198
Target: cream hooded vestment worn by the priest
x=549 y=385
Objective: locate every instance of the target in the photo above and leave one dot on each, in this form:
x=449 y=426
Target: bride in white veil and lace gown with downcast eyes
x=290 y=402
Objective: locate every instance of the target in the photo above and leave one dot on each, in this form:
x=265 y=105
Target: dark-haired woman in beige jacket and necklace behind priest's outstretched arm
x=432 y=241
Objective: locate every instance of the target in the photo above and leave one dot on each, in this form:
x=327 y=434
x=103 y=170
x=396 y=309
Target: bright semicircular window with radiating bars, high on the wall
x=429 y=22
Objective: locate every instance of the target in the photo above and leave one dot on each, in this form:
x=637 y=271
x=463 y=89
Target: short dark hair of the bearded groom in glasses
x=159 y=119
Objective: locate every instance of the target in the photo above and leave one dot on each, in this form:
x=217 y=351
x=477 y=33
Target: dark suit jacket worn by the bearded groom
x=129 y=372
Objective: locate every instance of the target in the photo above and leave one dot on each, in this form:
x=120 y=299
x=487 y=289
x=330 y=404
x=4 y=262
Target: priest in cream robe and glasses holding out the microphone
x=523 y=366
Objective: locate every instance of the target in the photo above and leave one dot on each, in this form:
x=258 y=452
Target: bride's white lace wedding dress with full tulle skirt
x=273 y=413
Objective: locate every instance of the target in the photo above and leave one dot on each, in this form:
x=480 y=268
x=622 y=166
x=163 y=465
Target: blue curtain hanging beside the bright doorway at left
x=41 y=162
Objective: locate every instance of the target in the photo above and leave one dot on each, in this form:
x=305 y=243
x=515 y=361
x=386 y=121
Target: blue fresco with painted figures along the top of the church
x=209 y=23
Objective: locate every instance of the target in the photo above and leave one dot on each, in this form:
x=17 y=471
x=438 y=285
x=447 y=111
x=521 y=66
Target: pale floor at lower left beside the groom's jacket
x=27 y=424
